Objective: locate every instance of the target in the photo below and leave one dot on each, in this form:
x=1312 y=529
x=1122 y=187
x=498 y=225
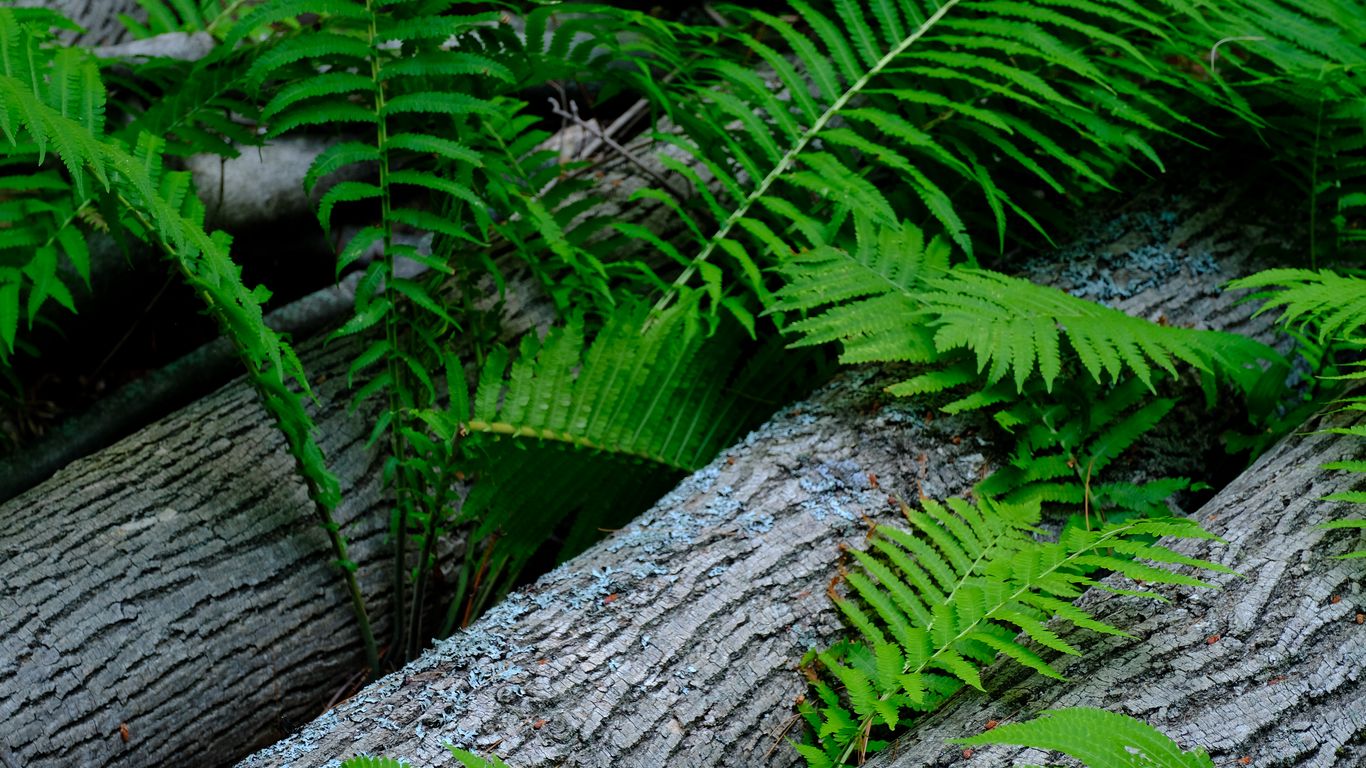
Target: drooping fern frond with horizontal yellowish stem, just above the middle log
x=604 y=427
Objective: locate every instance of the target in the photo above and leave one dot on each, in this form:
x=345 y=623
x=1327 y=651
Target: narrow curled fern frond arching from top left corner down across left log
x=53 y=100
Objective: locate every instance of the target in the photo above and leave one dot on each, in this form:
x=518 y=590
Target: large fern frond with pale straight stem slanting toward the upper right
x=894 y=109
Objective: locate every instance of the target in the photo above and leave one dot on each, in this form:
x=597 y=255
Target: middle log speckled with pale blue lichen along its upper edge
x=675 y=642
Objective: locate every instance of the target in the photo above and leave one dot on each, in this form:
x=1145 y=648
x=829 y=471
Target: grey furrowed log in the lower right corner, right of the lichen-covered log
x=1267 y=668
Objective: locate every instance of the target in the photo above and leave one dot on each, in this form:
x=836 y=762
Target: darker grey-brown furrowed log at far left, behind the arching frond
x=177 y=588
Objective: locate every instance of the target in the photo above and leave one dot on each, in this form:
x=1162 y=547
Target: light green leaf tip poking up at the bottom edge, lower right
x=1098 y=739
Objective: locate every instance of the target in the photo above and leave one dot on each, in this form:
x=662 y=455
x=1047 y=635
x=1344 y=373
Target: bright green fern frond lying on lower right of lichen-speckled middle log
x=939 y=602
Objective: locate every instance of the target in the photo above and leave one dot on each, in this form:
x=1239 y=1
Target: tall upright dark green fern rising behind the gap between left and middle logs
x=454 y=159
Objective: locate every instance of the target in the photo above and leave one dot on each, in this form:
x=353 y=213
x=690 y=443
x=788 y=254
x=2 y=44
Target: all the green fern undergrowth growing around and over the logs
x=830 y=176
